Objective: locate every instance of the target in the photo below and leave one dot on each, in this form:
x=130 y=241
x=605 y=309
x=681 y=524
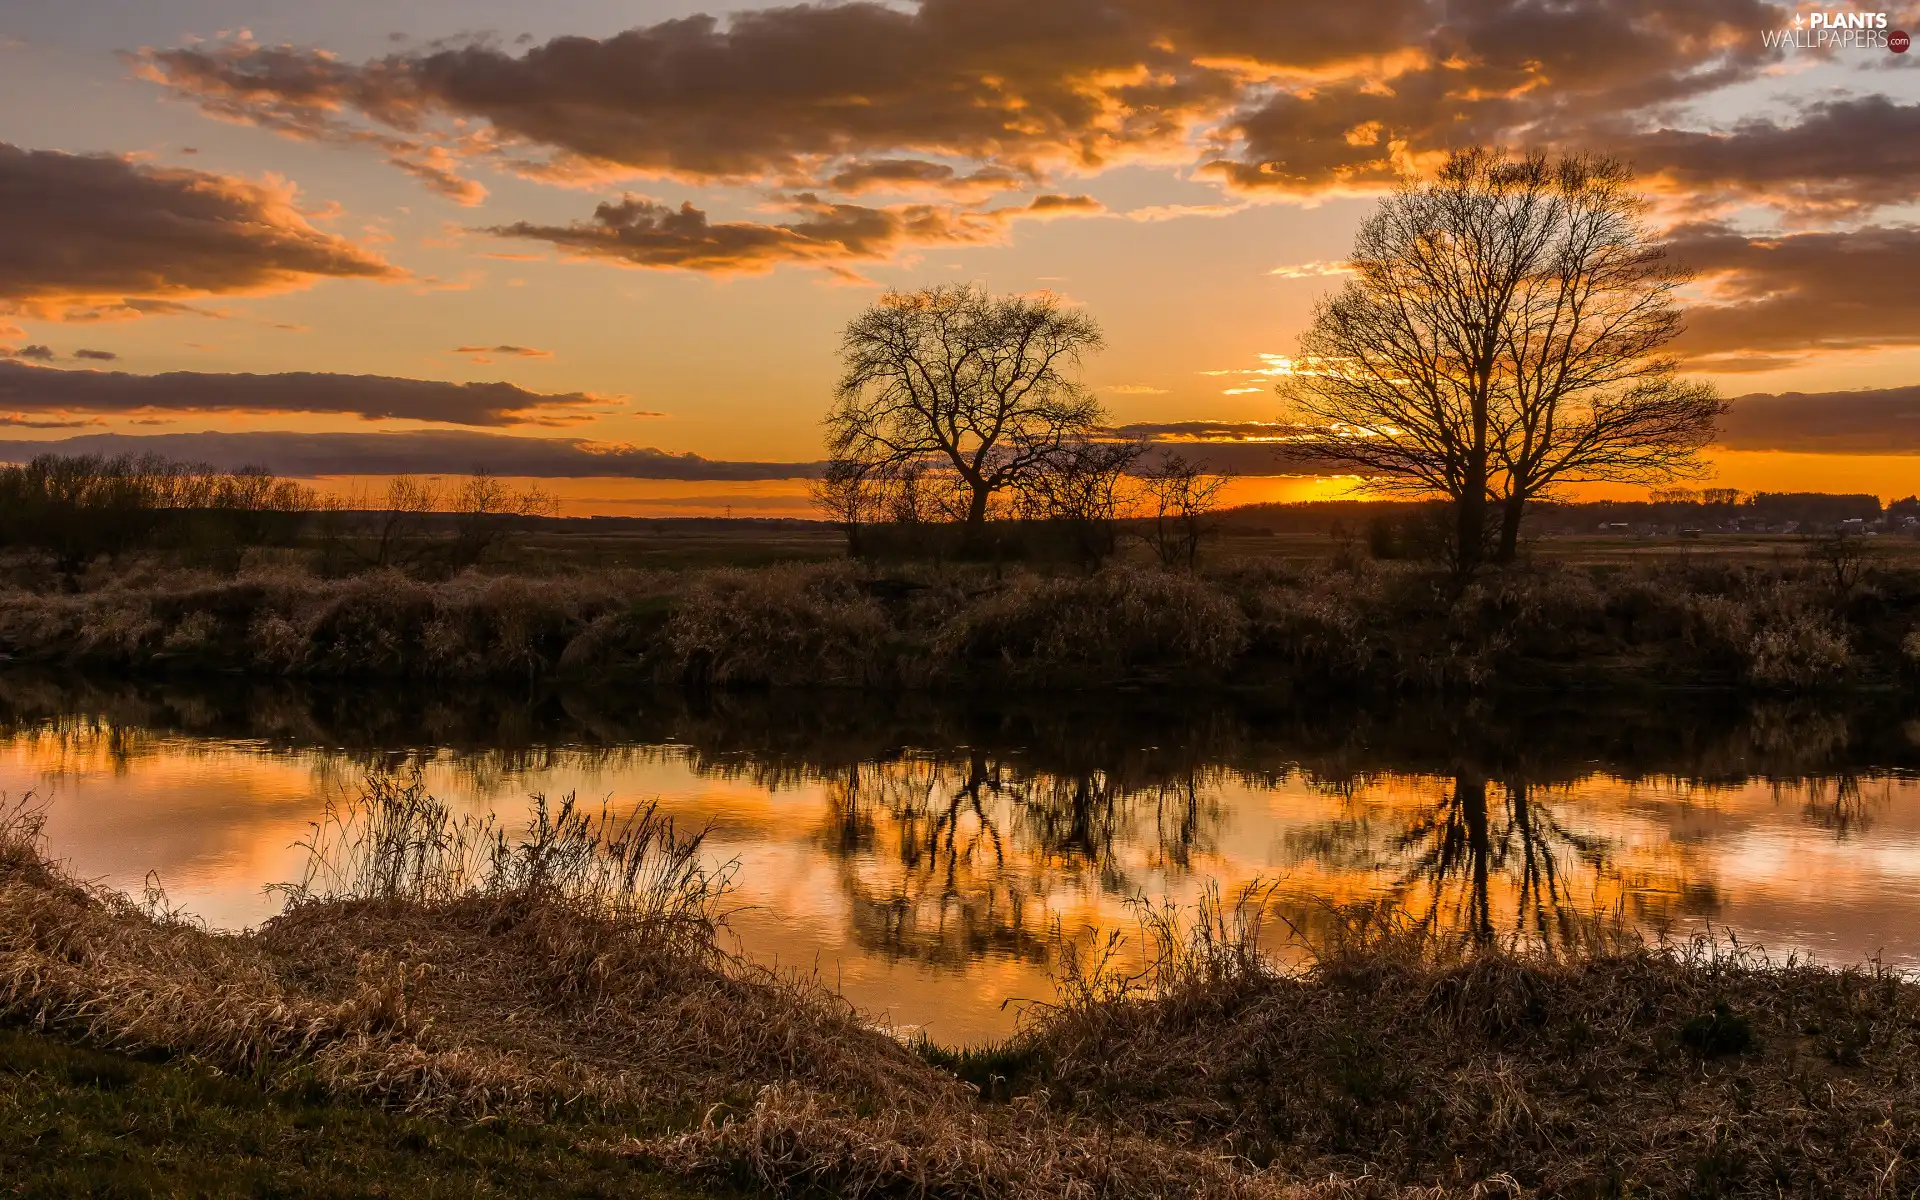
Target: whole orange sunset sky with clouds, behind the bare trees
x=612 y=247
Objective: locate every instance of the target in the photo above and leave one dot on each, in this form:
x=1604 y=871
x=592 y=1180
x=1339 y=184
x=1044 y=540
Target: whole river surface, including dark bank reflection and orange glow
x=923 y=855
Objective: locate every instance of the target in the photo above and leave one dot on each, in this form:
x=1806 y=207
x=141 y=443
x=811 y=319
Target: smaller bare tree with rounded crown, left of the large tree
x=953 y=379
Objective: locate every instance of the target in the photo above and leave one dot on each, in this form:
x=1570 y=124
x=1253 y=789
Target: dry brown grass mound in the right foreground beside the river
x=1612 y=1068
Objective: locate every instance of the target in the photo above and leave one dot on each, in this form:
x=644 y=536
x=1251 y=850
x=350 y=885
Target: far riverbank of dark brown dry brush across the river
x=1345 y=625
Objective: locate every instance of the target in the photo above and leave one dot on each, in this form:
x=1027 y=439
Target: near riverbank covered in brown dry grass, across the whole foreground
x=560 y=1003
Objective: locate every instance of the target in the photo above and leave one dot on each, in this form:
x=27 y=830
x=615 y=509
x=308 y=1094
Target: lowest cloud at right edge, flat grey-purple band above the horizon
x=1844 y=423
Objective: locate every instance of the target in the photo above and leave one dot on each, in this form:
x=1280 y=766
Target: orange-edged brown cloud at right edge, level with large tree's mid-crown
x=1777 y=300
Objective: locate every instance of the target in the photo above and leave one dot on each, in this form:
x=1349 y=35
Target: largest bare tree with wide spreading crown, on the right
x=1502 y=337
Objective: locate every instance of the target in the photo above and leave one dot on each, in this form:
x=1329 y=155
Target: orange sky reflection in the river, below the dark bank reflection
x=930 y=882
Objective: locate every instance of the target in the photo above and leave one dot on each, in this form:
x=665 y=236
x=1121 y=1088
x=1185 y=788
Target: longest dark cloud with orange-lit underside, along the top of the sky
x=784 y=91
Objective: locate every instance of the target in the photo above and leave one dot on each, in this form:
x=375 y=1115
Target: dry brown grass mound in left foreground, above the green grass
x=431 y=965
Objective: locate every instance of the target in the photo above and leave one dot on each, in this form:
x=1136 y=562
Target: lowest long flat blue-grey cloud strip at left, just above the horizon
x=418 y=452
